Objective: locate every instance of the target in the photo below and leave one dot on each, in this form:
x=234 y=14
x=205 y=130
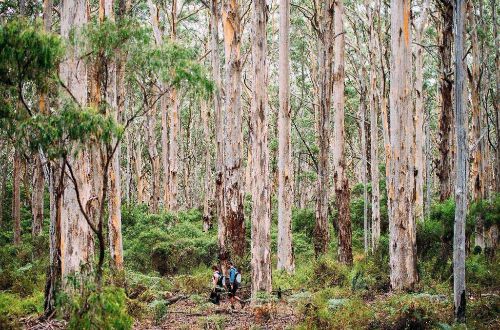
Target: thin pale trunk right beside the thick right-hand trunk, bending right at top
x=419 y=142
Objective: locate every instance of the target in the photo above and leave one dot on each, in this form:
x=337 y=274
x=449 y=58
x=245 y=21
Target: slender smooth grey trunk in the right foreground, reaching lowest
x=459 y=294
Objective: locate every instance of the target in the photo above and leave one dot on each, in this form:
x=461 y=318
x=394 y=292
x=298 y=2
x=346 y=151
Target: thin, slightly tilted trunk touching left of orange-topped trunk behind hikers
x=219 y=133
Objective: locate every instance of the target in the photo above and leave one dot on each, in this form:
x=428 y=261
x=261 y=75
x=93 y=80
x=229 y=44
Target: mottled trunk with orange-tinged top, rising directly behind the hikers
x=233 y=193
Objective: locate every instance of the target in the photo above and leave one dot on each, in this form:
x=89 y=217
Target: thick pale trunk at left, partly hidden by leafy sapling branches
x=77 y=241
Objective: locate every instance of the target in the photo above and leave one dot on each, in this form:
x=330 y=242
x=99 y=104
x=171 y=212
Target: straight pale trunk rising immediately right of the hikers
x=261 y=208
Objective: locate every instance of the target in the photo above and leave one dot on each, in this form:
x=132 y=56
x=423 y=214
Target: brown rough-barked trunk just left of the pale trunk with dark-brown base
x=325 y=57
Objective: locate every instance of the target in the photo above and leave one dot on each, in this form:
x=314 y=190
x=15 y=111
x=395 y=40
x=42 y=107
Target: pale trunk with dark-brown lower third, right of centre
x=342 y=191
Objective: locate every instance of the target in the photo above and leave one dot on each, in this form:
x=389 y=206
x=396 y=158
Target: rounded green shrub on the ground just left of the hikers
x=167 y=243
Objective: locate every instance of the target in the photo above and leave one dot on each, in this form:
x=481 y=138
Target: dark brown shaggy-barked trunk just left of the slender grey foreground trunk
x=446 y=115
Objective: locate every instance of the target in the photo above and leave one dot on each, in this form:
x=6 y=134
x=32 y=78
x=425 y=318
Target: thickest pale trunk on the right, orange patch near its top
x=402 y=246
